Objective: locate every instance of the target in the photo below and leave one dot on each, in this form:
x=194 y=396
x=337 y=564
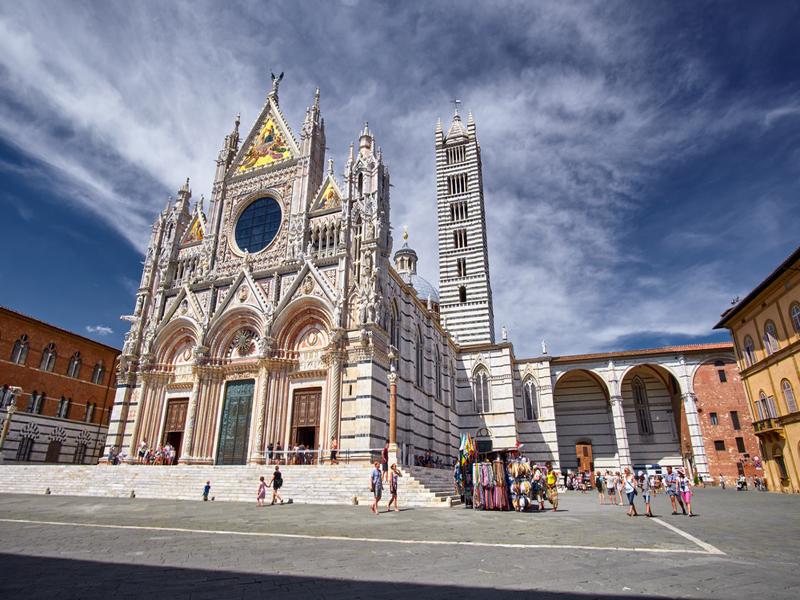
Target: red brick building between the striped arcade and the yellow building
x=730 y=441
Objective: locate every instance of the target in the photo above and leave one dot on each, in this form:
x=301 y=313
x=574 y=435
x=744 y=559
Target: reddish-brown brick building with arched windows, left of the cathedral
x=63 y=386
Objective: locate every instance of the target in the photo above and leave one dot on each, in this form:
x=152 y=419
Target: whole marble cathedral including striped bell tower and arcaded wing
x=281 y=317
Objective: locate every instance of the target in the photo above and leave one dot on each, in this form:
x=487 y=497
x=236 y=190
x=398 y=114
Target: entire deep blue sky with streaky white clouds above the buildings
x=641 y=161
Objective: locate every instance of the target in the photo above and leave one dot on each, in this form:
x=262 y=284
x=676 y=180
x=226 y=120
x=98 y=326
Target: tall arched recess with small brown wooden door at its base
x=584 y=424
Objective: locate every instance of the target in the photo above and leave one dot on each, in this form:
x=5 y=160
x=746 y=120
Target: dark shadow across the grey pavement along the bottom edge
x=43 y=577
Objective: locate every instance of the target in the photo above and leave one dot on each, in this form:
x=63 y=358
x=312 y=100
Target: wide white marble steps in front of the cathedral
x=306 y=484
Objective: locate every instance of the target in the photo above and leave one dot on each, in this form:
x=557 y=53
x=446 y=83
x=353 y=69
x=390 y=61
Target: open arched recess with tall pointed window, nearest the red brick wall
x=651 y=402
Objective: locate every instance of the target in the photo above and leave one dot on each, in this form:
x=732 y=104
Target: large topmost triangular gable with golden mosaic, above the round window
x=270 y=142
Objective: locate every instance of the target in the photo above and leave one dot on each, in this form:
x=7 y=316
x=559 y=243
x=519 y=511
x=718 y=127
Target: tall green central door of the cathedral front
x=234 y=431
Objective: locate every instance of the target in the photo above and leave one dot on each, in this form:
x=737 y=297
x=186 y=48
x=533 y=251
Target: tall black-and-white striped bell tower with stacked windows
x=464 y=287
